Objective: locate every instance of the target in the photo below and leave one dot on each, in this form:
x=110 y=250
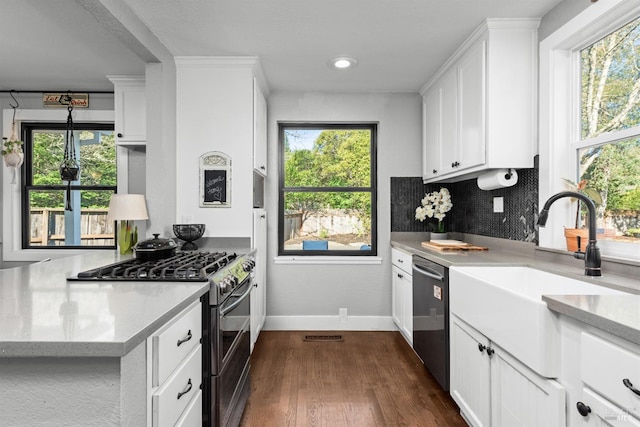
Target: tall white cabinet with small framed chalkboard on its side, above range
x=221 y=107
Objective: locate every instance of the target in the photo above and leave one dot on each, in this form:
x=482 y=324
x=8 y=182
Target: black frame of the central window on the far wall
x=373 y=127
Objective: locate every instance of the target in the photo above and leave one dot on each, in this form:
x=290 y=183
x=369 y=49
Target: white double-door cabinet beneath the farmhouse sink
x=494 y=389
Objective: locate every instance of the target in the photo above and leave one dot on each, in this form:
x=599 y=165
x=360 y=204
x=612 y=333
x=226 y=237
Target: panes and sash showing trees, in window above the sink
x=608 y=150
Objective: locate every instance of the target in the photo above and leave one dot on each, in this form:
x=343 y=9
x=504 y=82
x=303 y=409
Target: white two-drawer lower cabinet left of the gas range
x=174 y=364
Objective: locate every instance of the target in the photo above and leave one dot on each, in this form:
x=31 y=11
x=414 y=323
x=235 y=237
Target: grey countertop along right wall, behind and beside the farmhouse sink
x=616 y=314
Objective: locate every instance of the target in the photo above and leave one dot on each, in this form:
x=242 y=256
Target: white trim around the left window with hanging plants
x=11 y=215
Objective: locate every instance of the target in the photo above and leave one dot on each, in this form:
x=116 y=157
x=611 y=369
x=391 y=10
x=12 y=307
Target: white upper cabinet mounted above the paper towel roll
x=480 y=108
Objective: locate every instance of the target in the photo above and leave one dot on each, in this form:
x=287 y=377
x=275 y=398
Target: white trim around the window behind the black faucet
x=559 y=100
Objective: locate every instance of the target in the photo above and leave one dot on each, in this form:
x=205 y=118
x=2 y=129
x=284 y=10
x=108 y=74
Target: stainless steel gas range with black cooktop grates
x=225 y=320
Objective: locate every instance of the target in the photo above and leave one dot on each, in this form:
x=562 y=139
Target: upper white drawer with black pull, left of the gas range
x=174 y=341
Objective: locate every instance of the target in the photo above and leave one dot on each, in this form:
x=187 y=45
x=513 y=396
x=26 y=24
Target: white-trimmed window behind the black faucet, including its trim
x=590 y=124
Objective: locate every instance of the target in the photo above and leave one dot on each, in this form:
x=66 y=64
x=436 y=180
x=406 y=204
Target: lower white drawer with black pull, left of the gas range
x=173 y=397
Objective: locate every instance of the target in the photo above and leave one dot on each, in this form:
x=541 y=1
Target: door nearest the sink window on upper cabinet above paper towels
x=471 y=96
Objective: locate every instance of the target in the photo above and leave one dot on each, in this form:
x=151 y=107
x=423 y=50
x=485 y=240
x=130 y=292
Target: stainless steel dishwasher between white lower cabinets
x=431 y=317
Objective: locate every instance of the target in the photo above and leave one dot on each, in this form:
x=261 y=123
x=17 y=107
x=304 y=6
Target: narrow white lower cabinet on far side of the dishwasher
x=402 y=293
